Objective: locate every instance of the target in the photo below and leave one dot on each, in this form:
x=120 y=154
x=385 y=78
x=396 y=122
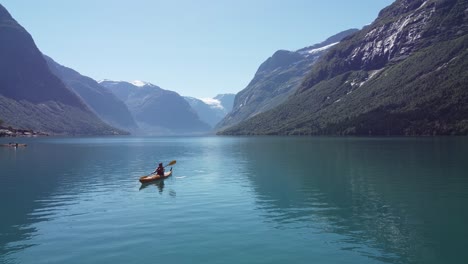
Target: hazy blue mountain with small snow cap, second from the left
x=157 y=111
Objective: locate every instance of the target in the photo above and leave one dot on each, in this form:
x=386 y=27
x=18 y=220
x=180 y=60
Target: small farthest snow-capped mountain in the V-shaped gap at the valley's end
x=212 y=110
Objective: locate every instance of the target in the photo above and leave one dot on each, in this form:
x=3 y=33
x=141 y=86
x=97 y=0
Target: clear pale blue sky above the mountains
x=197 y=48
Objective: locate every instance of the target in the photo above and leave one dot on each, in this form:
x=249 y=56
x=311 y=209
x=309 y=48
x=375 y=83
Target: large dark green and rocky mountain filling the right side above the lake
x=405 y=74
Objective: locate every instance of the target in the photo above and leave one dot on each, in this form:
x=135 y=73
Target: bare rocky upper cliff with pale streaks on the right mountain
x=399 y=30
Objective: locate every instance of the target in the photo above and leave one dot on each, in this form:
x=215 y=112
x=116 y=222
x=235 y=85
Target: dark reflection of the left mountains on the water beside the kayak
x=41 y=181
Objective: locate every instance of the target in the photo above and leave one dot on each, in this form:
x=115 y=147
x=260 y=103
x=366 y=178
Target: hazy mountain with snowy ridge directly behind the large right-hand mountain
x=276 y=79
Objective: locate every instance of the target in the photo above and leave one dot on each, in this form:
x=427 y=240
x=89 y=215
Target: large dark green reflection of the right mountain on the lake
x=390 y=195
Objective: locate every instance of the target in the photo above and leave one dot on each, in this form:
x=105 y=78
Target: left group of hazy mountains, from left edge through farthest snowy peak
x=39 y=94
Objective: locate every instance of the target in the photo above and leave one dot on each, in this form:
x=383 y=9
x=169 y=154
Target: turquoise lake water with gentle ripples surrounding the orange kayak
x=235 y=200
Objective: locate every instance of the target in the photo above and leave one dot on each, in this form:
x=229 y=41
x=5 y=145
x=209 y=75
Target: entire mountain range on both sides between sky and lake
x=406 y=73
